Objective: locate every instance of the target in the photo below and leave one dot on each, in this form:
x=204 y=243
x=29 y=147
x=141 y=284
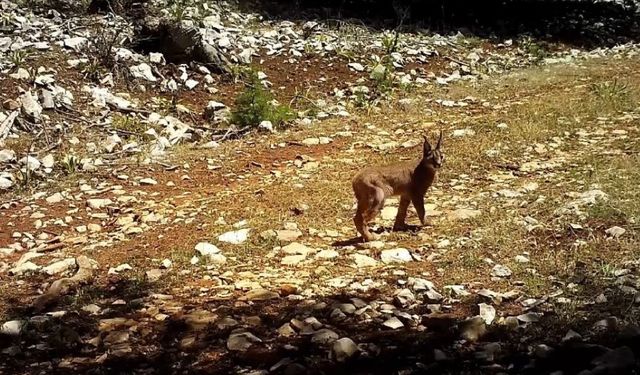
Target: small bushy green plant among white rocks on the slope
x=255 y=104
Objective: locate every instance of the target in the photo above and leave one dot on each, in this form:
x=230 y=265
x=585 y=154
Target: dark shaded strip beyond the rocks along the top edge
x=582 y=22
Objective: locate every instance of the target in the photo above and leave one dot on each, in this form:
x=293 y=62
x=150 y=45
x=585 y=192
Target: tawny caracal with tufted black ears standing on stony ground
x=409 y=180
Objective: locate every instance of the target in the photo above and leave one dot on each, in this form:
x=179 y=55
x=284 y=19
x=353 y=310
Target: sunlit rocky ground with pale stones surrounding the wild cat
x=144 y=231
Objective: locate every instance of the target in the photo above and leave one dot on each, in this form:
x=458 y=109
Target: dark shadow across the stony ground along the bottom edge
x=182 y=344
